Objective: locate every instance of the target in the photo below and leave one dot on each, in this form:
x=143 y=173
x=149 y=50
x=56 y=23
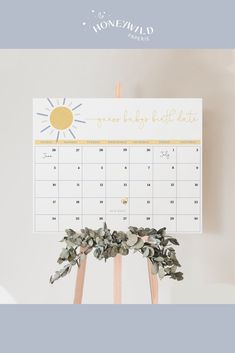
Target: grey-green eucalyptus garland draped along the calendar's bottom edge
x=153 y=244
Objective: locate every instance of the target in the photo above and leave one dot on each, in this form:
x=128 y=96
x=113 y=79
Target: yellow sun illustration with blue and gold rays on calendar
x=61 y=118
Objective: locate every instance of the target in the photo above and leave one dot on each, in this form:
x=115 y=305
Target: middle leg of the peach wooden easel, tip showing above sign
x=117 y=273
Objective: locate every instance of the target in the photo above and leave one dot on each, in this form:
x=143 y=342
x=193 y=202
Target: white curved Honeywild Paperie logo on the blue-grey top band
x=101 y=21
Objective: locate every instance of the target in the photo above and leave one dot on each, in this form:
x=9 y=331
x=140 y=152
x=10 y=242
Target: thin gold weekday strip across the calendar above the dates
x=117 y=142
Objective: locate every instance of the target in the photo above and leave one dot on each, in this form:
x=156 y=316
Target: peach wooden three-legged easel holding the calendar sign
x=117 y=273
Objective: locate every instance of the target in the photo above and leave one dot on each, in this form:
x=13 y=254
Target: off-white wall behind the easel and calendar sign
x=26 y=260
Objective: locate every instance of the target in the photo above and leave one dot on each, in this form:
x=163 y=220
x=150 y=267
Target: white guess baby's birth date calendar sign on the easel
x=124 y=161
